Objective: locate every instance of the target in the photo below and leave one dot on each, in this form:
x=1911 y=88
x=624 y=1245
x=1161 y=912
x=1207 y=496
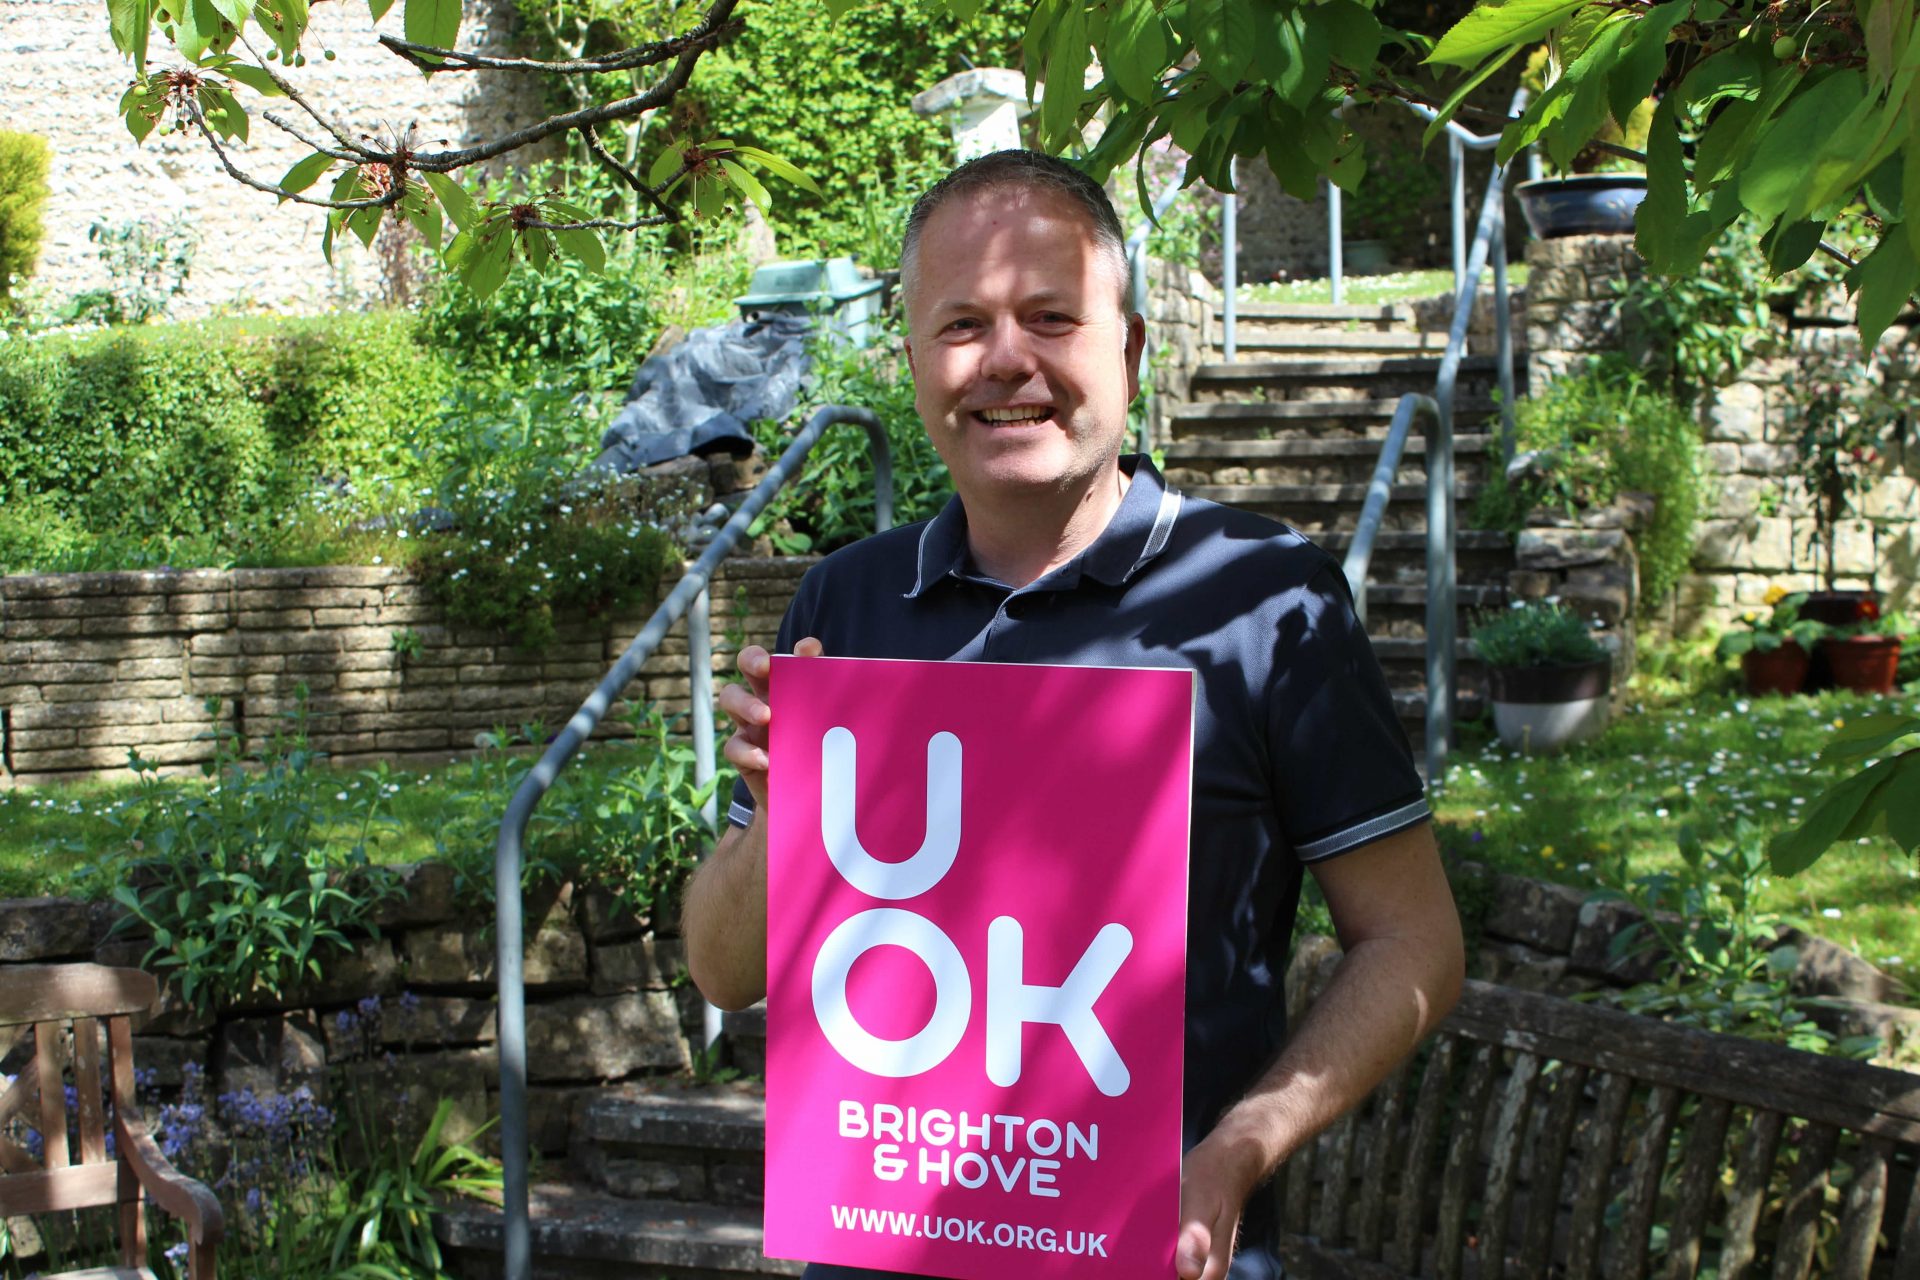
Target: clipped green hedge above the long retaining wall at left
x=191 y=444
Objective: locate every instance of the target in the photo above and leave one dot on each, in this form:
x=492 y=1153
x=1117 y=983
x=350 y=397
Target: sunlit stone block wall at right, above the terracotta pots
x=1760 y=527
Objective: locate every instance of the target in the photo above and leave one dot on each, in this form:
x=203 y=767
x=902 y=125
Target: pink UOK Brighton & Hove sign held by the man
x=976 y=960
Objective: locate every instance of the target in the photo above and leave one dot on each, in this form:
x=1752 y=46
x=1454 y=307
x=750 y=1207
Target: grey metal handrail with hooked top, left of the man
x=508 y=857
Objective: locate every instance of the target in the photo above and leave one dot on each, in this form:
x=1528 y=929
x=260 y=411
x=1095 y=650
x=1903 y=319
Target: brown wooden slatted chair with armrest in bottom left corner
x=66 y=1008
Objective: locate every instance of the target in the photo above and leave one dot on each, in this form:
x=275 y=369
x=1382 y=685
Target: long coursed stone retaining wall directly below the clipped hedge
x=95 y=665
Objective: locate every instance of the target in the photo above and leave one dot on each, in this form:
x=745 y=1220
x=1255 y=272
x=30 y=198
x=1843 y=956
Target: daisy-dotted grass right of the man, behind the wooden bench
x=1723 y=765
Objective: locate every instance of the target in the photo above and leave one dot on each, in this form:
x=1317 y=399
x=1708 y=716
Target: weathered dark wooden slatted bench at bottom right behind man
x=1541 y=1137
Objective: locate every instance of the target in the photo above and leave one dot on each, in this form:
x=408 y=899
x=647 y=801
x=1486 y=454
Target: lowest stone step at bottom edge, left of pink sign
x=587 y=1235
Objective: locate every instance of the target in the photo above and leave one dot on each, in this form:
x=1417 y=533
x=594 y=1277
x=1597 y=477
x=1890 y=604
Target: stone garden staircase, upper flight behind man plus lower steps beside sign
x=665 y=1179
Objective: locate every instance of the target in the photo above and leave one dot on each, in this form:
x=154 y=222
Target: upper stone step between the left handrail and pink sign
x=675 y=1141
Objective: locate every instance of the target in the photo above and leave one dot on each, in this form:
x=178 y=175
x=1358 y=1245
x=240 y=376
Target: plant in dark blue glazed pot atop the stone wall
x=1595 y=193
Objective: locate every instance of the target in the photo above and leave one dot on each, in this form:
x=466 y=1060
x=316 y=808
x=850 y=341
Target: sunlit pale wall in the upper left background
x=66 y=80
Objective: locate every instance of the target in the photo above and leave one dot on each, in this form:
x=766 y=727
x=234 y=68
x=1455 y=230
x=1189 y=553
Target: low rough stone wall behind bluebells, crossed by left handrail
x=410 y=1016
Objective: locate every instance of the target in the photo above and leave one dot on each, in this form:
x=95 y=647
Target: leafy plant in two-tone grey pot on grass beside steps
x=1547 y=675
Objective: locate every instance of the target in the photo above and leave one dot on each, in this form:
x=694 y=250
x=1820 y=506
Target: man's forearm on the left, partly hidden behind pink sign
x=725 y=920
